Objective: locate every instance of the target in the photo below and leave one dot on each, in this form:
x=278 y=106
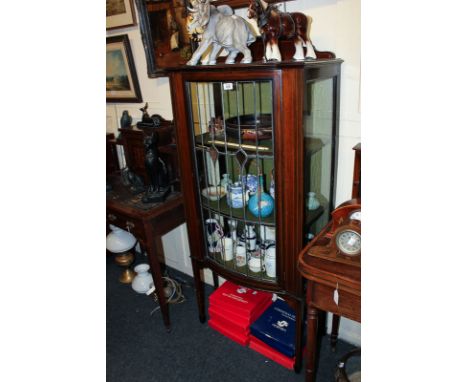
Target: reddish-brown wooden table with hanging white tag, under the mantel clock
x=324 y=276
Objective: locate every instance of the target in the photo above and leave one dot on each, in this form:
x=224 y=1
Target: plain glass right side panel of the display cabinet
x=318 y=146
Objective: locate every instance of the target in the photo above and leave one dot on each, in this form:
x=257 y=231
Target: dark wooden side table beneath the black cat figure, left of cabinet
x=148 y=222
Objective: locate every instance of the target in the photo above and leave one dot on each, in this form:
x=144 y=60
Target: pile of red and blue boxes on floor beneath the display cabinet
x=250 y=317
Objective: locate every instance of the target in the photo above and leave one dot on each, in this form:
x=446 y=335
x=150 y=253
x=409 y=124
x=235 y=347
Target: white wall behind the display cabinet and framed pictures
x=335 y=27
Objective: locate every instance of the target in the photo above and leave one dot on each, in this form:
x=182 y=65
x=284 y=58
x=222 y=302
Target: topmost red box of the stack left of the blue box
x=243 y=300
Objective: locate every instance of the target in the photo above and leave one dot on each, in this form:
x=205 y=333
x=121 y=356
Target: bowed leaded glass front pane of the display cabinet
x=233 y=136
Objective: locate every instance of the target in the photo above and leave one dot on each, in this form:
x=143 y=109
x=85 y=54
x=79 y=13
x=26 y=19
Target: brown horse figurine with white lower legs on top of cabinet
x=274 y=24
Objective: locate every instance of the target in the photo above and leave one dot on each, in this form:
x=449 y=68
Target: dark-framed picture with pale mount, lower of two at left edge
x=121 y=78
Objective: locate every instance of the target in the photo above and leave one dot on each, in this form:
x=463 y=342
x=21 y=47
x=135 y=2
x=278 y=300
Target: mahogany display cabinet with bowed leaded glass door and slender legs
x=254 y=140
